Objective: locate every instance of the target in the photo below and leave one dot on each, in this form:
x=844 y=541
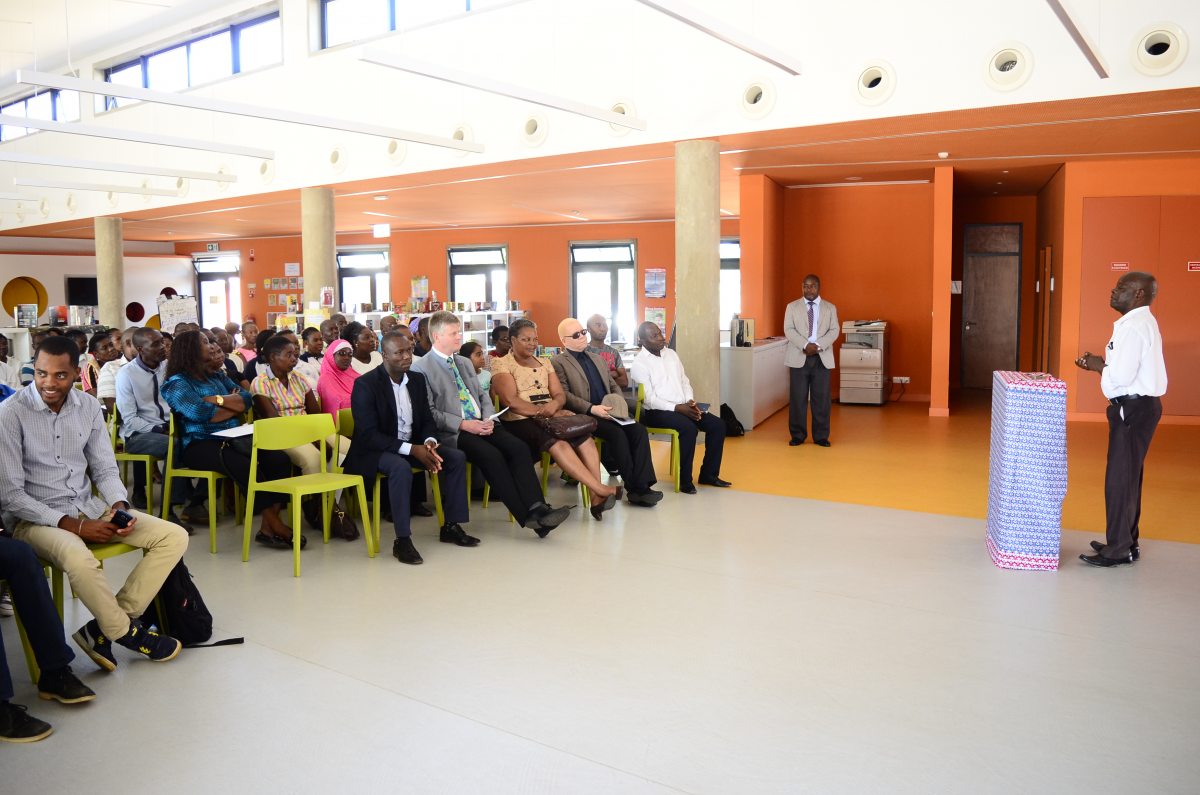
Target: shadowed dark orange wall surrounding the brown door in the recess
x=998 y=210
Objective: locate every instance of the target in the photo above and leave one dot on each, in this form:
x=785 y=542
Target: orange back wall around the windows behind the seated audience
x=539 y=273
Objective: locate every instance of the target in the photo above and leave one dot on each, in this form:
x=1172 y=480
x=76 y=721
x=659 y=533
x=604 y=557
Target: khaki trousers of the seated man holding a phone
x=164 y=543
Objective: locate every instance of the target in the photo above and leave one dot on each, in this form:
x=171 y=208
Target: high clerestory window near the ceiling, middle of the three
x=215 y=56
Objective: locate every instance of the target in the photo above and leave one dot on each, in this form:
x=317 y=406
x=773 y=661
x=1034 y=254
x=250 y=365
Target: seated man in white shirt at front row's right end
x=669 y=403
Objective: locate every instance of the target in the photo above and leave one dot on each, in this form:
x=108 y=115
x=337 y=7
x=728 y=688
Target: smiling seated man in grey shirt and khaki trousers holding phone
x=55 y=449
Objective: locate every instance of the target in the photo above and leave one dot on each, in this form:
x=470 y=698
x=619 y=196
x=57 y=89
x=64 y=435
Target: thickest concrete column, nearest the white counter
x=699 y=267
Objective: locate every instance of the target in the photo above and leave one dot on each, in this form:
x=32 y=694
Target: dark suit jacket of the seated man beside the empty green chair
x=374 y=405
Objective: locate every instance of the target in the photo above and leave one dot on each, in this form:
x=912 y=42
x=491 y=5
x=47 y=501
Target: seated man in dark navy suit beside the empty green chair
x=392 y=410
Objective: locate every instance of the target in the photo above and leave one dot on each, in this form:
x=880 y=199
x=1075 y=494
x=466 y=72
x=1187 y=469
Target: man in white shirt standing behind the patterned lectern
x=1133 y=378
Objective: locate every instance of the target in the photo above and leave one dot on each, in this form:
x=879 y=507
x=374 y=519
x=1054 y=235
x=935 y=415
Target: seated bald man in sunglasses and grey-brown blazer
x=587 y=382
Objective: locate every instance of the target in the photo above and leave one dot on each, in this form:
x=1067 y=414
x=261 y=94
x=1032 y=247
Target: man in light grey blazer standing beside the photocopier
x=812 y=327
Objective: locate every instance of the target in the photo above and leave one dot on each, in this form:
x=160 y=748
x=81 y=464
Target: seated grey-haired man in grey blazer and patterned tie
x=463 y=413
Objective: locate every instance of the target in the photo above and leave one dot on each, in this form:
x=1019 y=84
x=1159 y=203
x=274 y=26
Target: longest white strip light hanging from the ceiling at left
x=65 y=83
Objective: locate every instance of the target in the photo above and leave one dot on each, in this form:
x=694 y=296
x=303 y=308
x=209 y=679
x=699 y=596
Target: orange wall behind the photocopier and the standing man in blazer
x=873 y=249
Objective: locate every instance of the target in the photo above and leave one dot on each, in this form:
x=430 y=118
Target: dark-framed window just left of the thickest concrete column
x=604 y=282
